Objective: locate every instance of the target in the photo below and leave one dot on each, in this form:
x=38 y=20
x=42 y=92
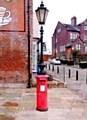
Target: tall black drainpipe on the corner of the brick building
x=29 y=74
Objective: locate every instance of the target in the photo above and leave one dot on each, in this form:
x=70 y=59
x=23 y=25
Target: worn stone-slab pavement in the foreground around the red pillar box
x=19 y=103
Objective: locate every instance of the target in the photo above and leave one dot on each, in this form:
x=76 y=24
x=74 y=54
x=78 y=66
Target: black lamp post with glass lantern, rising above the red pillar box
x=41 y=14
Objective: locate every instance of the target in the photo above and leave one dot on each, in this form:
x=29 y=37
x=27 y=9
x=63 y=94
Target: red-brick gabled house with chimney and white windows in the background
x=69 y=37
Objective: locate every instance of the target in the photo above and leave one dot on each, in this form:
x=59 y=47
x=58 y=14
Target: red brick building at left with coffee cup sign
x=16 y=34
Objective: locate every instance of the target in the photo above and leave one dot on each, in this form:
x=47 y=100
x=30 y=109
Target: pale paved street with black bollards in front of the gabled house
x=79 y=86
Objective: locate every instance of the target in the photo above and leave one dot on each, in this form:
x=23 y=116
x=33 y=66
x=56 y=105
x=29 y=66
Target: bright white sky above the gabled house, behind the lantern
x=63 y=11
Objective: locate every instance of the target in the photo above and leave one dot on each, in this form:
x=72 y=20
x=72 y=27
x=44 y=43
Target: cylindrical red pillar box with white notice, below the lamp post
x=41 y=92
